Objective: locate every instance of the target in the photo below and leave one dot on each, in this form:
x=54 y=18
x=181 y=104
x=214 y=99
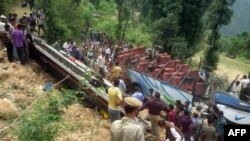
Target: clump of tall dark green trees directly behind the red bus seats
x=178 y=19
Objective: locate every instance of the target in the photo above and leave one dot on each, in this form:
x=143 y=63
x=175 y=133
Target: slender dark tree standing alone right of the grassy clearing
x=219 y=14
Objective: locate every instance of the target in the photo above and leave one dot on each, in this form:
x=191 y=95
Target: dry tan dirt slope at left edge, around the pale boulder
x=20 y=84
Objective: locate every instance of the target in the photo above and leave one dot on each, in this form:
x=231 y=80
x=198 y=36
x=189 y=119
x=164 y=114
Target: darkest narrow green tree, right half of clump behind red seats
x=191 y=26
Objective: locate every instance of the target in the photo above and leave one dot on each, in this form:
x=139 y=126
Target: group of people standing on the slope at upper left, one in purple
x=16 y=32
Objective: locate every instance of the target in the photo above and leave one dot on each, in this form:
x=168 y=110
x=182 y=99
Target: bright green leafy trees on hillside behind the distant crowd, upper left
x=120 y=19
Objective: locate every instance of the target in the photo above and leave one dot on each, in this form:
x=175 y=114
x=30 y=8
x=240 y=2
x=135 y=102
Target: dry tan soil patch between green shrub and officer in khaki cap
x=83 y=124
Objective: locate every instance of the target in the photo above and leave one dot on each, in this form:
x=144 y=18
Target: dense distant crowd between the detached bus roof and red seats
x=96 y=50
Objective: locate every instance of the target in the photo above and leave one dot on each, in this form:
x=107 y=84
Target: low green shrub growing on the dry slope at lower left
x=42 y=123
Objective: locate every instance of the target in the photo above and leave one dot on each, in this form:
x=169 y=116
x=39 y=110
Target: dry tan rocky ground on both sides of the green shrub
x=21 y=85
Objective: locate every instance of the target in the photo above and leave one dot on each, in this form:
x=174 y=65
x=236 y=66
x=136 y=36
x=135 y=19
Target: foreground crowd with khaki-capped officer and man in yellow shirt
x=179 y=121
